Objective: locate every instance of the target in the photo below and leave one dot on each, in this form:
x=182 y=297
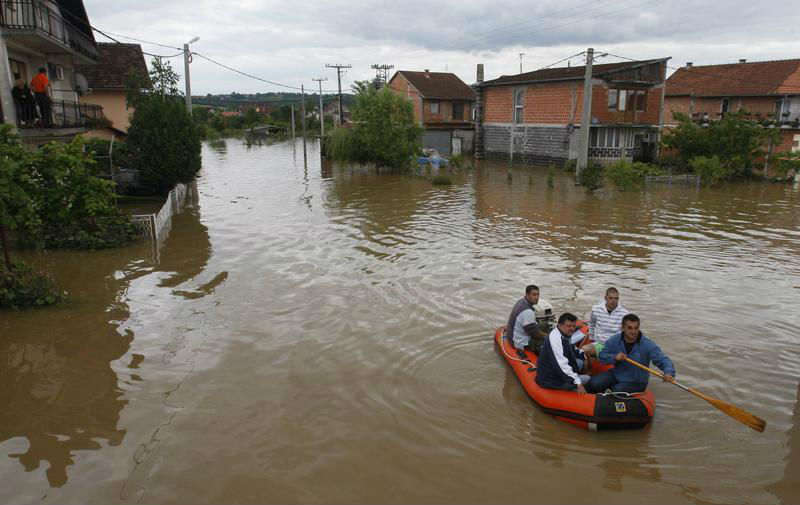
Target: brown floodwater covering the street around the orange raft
x=323 y=334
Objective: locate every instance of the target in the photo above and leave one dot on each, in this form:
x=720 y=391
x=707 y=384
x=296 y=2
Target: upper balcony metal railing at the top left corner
x=39 y=17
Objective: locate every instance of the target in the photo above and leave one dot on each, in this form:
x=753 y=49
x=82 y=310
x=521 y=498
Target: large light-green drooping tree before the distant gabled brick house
x=384 y=132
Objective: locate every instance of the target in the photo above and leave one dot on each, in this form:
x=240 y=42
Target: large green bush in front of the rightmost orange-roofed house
x=735 y=141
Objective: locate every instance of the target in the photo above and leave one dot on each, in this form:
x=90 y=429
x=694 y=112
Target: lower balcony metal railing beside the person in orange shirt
x=61 y=114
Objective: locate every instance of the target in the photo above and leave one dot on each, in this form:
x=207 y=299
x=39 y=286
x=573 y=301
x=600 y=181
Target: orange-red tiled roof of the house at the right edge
x=737 y=79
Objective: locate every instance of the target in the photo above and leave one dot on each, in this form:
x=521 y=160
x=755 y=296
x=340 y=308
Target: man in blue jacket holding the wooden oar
x=625 y=377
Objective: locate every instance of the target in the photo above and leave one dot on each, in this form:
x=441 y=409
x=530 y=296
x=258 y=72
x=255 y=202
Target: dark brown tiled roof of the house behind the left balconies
x=114 y=64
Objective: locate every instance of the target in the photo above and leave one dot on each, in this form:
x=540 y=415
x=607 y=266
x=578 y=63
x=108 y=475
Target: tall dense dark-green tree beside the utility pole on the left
x=163 y=140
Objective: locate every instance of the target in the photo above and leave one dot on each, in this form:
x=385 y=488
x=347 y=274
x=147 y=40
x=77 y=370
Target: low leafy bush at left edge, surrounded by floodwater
x=22 y=286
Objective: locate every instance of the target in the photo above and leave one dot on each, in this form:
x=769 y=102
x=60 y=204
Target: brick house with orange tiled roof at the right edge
x=768 y=90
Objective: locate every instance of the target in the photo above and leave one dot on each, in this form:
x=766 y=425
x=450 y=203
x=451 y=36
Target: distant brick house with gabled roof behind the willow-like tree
x=443 y=105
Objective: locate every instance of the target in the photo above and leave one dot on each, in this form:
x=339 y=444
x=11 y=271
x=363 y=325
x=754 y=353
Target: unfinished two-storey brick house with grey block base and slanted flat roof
x=534 y=117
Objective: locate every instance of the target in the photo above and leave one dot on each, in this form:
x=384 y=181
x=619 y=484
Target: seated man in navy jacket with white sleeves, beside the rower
x=557 y=366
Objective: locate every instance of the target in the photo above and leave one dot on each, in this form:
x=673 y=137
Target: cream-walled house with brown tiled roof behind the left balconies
x=108 y=84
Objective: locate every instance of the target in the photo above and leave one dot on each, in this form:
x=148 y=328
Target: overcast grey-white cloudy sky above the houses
x=290 y=42
